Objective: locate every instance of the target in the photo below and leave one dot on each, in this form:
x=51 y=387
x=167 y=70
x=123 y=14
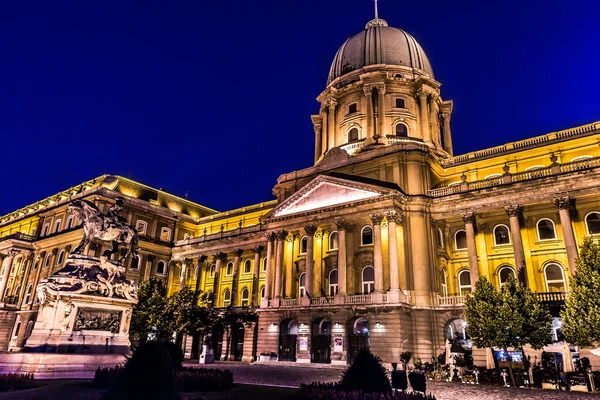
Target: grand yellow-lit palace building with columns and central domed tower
x=376 y=245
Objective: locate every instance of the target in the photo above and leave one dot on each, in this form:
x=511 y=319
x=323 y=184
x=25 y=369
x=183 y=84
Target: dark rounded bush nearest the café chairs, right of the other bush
x=367 y=373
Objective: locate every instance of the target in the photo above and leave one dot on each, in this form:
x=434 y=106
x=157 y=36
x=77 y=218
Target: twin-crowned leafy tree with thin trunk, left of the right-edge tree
x=509 y=318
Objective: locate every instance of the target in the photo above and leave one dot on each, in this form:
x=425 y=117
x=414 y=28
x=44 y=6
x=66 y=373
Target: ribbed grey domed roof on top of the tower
x=379 y=44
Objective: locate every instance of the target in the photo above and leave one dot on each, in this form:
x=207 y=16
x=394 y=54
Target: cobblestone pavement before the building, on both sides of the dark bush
x=292 y=376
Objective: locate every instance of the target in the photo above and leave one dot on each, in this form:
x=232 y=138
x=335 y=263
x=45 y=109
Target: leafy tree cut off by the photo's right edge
x=581 y=317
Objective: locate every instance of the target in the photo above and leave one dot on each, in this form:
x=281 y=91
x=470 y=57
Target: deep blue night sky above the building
x=215 y=97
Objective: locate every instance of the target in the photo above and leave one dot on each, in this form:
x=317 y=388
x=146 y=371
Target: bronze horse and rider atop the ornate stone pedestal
x=109 y=226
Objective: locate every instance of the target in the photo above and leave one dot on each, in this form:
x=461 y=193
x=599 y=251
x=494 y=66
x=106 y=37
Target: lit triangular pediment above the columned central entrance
x=324 y=192
